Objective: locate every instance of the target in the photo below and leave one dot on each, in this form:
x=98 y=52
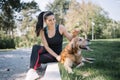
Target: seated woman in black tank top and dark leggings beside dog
x=52 y=38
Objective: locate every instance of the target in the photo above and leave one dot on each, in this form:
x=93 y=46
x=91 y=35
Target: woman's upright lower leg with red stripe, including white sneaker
x=32 y=74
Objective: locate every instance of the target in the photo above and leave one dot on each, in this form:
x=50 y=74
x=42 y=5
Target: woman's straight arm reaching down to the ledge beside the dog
x=46 y=45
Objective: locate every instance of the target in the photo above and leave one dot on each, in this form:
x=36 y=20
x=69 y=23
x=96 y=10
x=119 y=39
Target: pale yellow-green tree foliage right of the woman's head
x=82 y=15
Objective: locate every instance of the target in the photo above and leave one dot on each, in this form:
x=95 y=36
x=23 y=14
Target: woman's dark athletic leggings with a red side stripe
x=40 y=55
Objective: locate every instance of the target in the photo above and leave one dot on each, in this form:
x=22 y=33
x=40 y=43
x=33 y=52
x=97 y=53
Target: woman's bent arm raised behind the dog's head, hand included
x=68 y=35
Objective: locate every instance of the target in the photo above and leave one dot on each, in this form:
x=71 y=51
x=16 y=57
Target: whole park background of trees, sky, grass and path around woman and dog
x=97 y=20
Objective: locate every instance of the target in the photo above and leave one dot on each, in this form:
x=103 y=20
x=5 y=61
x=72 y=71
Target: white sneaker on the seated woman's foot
x=32 y=75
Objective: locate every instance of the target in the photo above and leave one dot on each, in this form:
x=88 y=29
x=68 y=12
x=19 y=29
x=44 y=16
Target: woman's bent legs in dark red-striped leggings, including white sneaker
x=39 y=55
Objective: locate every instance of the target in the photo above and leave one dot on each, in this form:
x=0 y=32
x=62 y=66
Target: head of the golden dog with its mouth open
x=79 y=43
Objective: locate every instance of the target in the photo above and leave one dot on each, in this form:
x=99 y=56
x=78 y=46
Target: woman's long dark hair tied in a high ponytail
x=42 y=16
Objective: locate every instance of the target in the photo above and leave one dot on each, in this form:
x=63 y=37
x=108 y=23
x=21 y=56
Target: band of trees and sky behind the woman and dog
x=18 y=20
